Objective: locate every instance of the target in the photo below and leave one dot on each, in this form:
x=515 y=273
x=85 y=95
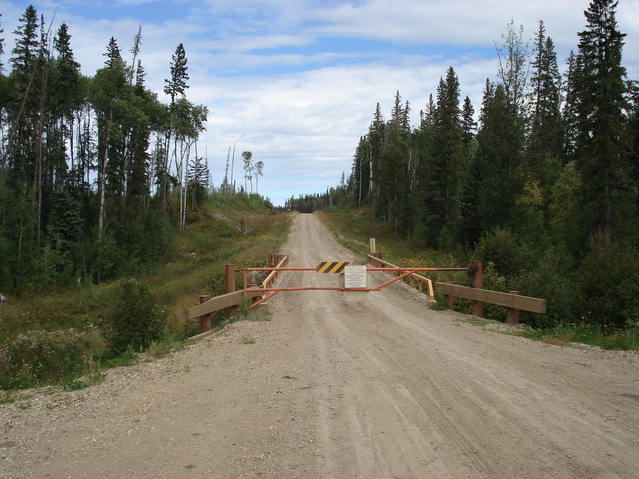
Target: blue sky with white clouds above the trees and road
x=297 y=82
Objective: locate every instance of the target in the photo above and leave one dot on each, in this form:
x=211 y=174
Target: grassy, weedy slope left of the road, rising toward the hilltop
x=58 y=337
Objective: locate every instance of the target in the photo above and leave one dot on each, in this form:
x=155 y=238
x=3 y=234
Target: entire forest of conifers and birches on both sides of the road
x=97 y=175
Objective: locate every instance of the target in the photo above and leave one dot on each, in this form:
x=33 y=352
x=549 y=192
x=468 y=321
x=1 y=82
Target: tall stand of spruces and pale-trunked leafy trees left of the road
x=95 y=172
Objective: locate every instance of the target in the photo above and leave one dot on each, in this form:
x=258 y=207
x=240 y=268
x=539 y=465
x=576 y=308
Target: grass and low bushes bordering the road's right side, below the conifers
x=353 y=227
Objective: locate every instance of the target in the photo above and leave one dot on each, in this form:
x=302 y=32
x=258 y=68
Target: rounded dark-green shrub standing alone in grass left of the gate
x=135 y=320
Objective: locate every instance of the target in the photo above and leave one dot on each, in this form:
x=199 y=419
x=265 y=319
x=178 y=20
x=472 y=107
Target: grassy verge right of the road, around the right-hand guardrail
x=353 y=228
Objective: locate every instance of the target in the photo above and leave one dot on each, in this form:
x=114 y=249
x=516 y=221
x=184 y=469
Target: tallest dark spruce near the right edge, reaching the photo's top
x=602 y=145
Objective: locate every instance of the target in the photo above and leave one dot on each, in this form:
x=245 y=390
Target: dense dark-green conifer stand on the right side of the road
x=543 y=186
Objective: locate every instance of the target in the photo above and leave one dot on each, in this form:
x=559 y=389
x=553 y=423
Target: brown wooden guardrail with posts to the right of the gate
x=512 y=300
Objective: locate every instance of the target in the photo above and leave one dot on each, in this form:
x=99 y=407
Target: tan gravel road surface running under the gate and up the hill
x=341 y=385
